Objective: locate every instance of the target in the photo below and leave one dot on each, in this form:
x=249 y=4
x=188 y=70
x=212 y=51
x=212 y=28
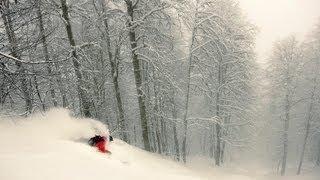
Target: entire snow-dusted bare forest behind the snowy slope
x=180 y=78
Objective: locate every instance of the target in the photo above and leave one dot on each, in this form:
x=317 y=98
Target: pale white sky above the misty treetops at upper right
x=279 y=18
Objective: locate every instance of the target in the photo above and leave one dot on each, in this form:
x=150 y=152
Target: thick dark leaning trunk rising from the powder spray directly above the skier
x=84 y=101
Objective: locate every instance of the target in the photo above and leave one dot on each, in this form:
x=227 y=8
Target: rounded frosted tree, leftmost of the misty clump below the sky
x=285 y=69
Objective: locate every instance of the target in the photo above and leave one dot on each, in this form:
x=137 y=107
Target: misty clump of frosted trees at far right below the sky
x=293 y=75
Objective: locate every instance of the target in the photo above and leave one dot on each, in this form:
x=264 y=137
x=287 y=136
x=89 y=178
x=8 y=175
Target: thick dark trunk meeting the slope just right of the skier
x=137 y=76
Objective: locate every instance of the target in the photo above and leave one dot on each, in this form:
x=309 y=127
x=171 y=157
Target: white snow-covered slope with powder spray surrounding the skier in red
x=52 y=146
